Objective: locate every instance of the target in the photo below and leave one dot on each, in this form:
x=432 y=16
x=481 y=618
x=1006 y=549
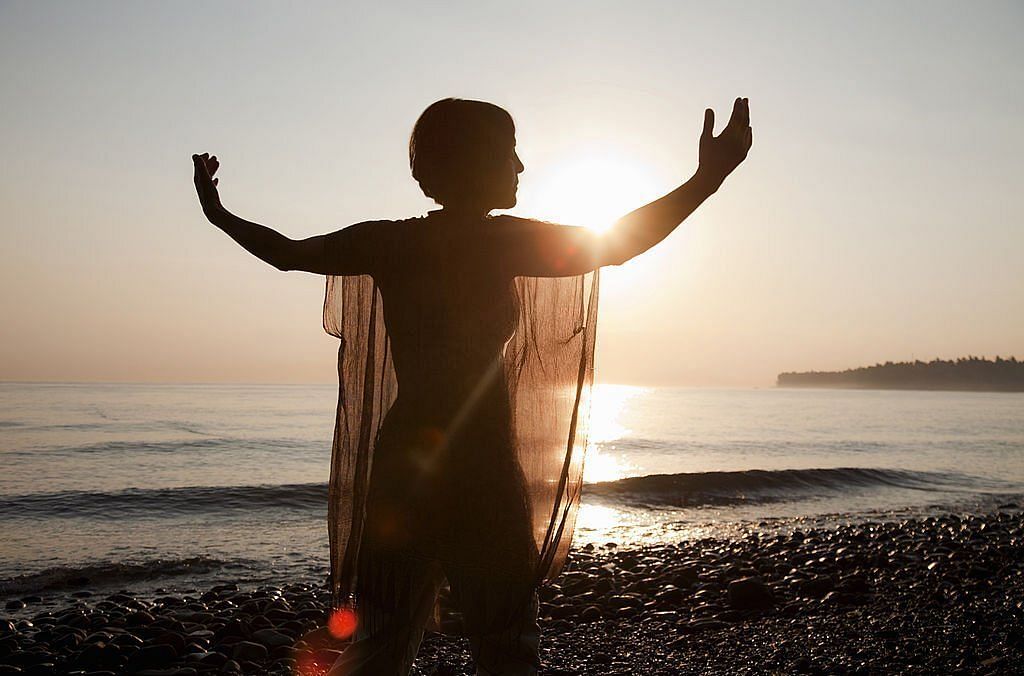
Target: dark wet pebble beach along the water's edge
x=936 y=596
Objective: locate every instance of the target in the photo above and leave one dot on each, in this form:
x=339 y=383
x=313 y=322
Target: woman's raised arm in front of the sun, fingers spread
x=551 y=250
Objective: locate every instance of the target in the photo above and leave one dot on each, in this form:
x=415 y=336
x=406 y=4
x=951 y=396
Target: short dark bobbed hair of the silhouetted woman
x=454 y=144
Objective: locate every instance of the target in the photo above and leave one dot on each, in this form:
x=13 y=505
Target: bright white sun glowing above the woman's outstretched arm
x=593 y=188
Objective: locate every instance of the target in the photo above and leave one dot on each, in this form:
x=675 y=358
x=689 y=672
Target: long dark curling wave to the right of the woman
x=757 y=486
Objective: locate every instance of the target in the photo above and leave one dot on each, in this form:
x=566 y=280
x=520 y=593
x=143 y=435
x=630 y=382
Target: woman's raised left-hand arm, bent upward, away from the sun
x=344 y=252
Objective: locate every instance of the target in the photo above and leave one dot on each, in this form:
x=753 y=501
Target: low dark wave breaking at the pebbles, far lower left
x=107 y=574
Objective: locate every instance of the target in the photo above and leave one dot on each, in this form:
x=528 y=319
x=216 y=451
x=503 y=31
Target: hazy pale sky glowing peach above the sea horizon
x=878 y=217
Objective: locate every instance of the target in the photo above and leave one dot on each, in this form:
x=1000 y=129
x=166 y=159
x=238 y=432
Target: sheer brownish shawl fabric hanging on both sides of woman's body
x=549 y=369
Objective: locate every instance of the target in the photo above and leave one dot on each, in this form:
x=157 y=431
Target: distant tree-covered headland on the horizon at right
x=967 y=373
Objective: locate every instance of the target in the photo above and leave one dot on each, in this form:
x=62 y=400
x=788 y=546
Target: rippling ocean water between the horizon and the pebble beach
x=150 y=488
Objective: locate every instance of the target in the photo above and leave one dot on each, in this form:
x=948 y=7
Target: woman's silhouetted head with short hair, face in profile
x=463 y=154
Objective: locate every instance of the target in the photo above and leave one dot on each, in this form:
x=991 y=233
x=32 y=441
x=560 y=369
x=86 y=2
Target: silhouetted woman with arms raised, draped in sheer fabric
x=442 y=470
